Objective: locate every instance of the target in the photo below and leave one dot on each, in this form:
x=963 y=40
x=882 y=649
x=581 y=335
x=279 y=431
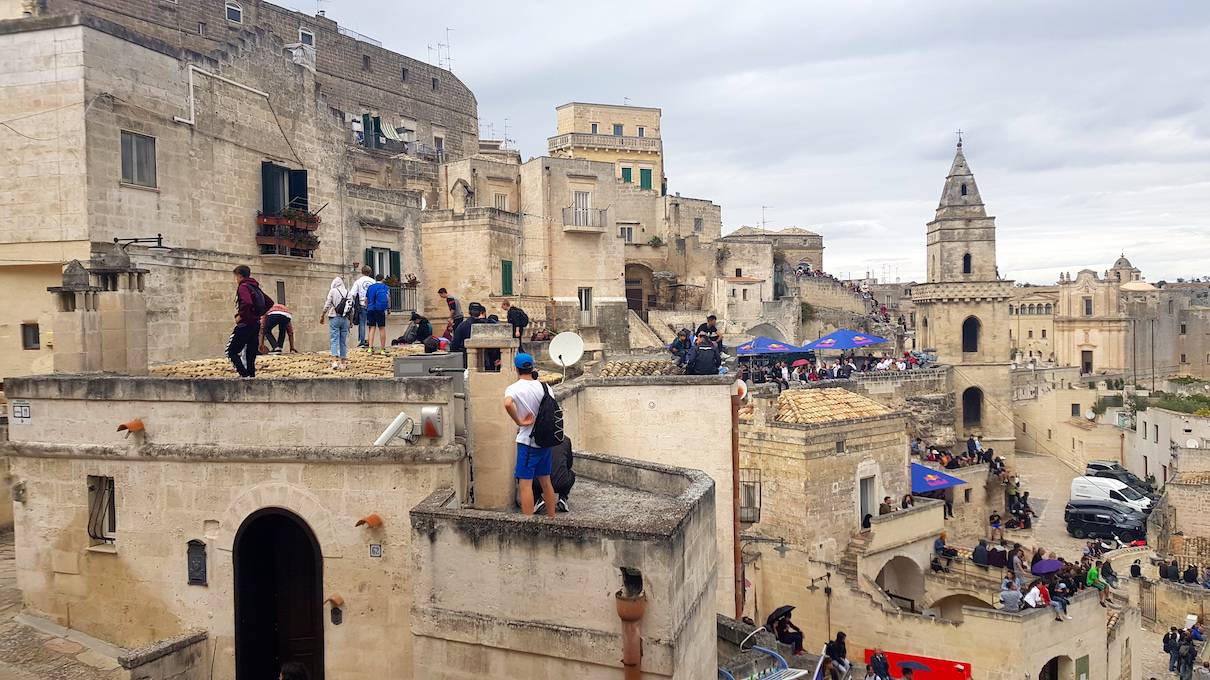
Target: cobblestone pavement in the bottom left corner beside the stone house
x=27 y=654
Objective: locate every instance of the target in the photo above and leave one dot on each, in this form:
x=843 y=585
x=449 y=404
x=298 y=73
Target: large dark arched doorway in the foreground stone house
x=279 y=607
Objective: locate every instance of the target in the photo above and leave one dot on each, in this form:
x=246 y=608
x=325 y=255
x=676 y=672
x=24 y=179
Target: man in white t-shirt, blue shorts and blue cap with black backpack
x=522 y=401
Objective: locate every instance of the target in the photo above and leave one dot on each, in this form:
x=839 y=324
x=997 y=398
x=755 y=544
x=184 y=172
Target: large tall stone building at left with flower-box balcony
x=201 y=124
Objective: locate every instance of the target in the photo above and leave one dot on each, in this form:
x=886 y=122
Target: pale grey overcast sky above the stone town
x=1086 y=124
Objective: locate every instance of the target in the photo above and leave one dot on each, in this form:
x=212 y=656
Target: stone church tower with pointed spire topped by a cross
x=963 y=310
